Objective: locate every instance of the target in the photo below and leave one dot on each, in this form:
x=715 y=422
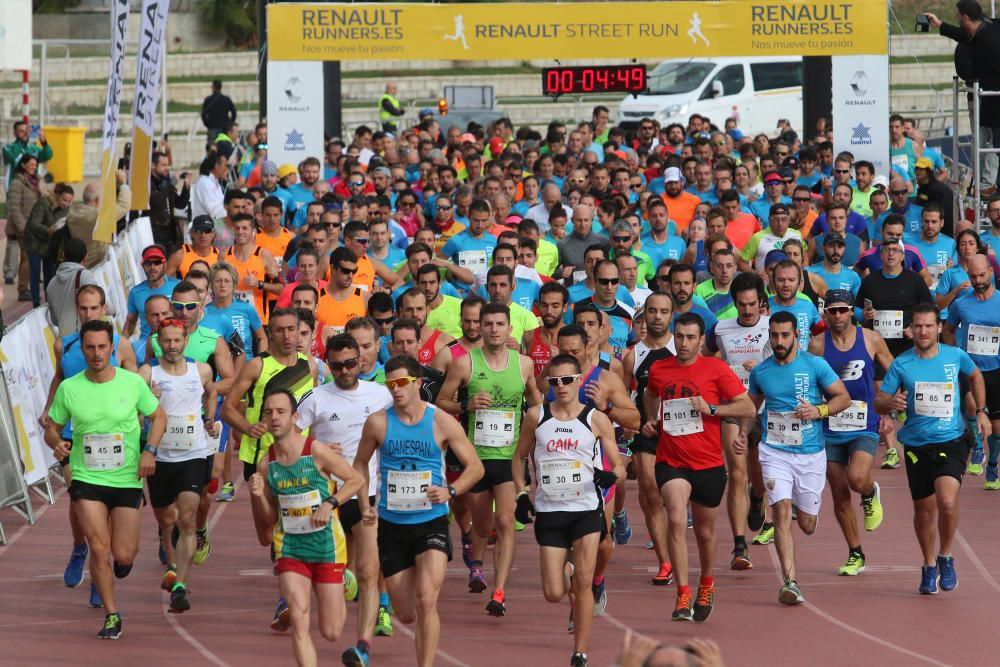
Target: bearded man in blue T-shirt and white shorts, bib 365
x=791 y=385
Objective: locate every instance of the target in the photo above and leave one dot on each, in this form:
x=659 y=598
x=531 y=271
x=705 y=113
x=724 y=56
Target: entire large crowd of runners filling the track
x=430 y=338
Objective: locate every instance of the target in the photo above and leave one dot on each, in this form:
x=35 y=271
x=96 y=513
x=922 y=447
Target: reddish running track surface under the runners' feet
x=874 y=619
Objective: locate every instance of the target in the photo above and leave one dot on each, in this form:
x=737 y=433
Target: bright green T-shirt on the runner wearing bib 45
x=105 y=426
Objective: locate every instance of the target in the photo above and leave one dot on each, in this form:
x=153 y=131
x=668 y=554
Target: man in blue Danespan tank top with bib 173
x=413 y=542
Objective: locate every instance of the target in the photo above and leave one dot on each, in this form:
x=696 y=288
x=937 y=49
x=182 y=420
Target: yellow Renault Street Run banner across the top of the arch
x=576 y=30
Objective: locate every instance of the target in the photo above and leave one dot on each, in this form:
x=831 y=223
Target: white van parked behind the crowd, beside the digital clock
x=759 y=90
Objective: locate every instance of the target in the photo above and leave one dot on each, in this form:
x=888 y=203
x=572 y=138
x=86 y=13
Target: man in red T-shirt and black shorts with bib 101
x=691 y=393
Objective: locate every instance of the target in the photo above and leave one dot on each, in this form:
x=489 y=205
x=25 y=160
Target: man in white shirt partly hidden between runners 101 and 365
x=742 y=342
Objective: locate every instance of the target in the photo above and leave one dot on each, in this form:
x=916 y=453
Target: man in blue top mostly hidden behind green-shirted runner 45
x=91 y=304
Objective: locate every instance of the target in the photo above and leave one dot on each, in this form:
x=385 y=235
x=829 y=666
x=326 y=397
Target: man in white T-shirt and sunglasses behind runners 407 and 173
x=336 y=413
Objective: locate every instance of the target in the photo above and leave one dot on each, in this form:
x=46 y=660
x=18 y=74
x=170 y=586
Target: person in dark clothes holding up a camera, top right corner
x=977 y=58
